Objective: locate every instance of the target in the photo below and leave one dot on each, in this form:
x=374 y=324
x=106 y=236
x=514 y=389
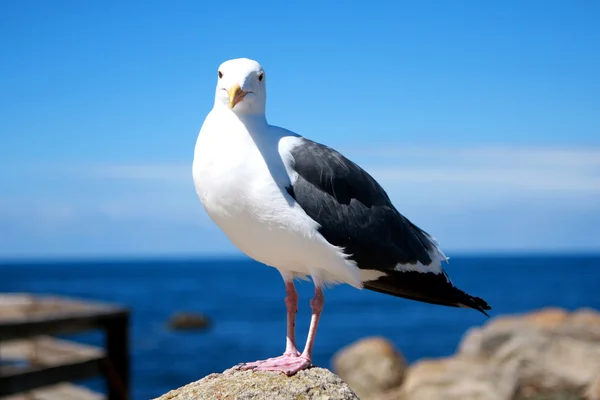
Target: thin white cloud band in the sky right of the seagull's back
x=530 y=169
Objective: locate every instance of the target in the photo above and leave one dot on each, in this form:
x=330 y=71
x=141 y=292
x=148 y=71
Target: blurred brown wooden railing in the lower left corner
x=31 y=359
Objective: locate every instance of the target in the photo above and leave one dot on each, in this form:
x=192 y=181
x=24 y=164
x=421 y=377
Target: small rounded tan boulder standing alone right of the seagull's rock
x=370 y=366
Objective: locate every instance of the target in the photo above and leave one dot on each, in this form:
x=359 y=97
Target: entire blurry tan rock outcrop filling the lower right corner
x=543 y=355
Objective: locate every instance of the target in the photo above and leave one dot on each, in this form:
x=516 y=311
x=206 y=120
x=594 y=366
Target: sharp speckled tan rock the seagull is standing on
x=314 y=383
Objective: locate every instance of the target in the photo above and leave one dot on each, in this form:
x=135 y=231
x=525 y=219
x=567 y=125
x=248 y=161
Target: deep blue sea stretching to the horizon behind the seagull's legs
x=245 y=302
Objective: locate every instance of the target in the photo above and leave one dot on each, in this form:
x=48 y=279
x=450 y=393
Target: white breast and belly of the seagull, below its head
x=242 y=189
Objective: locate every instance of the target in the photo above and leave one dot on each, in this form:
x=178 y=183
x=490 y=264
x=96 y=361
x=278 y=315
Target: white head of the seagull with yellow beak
x=241 y=87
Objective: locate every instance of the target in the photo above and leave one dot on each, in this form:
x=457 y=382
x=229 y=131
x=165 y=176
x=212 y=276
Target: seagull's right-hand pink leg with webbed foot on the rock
x=292 y=364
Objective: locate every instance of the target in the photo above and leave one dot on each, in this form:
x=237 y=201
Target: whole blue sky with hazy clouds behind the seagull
x=481 y=119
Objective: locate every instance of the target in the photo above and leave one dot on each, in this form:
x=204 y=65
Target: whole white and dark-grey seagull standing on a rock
x=303 y=208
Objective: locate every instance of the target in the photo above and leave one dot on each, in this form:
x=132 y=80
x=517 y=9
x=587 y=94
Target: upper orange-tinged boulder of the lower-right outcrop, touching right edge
x=551 y=350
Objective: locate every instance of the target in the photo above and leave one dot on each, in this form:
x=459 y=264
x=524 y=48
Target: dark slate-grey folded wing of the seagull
x=354 y=211
